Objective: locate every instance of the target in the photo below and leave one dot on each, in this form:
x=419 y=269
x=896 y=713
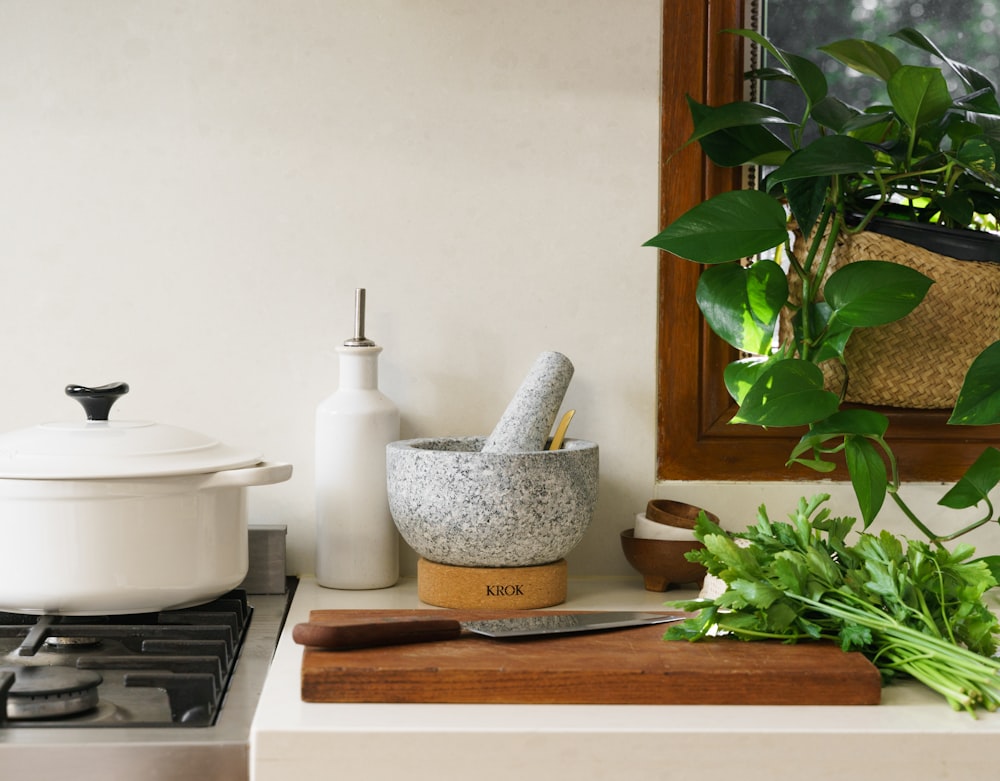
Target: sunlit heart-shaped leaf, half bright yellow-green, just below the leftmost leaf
x=742 y=304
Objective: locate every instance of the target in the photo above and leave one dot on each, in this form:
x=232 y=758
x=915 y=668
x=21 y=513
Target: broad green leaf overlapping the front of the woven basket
x=874 y=292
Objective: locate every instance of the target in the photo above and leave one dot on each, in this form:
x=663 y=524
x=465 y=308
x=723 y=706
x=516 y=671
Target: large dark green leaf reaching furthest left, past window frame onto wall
x=728 y=227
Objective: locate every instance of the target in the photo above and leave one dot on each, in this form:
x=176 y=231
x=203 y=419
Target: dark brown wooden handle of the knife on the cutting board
x=340 y=637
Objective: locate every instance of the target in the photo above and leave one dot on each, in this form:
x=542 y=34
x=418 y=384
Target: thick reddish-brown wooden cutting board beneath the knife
x=630 y=666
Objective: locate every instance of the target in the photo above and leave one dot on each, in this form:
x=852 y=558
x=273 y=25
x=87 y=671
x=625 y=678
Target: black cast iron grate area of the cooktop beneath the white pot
x=156 y=669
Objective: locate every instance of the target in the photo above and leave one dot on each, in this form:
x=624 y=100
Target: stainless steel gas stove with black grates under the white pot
x=158 y=696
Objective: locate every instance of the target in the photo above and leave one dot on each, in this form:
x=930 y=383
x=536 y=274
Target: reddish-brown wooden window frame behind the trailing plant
x=695 y=440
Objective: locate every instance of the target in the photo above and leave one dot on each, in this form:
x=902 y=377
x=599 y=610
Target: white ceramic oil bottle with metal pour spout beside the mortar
x=357 y=544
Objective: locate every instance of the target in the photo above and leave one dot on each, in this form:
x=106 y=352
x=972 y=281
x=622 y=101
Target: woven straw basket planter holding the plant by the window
x=918 y=362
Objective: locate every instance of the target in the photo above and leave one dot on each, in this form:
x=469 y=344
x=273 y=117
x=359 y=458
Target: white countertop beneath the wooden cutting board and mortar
x=912 y=734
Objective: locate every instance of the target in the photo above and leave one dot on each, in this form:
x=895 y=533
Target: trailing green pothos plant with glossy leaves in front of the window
x=926 y=154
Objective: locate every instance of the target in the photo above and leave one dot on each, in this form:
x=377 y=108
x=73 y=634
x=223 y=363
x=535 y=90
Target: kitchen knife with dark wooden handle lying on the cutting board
x=401 y=631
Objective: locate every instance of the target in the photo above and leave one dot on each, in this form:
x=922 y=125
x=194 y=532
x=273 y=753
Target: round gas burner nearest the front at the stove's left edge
x=47 y=692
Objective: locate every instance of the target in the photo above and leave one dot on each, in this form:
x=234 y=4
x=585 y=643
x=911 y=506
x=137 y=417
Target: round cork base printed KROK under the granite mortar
x=505 y=588
